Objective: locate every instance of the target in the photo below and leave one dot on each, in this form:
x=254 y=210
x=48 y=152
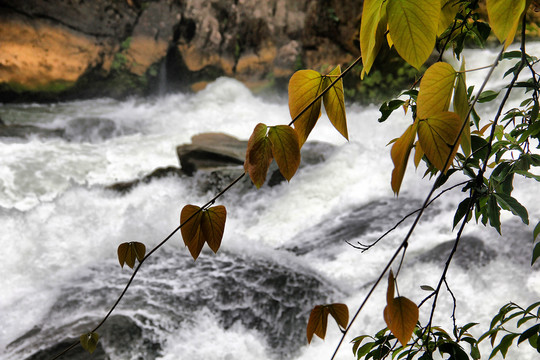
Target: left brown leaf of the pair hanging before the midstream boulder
x=258 y=155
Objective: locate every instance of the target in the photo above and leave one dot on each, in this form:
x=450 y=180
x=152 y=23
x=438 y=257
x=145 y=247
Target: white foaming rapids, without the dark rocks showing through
x=58 y=222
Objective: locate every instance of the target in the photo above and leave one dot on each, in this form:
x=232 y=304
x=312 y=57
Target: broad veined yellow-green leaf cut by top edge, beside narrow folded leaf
x=413 y=28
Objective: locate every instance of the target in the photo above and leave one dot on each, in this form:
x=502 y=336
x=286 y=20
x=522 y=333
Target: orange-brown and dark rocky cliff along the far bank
x=61 y=49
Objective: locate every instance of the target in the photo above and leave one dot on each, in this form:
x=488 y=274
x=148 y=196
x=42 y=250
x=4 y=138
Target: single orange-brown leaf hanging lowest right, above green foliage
x=401 y=316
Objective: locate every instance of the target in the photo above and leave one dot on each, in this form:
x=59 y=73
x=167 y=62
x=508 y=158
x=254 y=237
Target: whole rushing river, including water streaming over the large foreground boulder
x=284 y=248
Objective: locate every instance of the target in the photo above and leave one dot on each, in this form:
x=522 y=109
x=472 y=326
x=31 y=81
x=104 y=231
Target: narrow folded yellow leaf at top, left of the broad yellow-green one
x=372 y=31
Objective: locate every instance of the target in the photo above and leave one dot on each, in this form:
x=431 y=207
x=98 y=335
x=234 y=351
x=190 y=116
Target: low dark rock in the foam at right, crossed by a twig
x=471 y=252
